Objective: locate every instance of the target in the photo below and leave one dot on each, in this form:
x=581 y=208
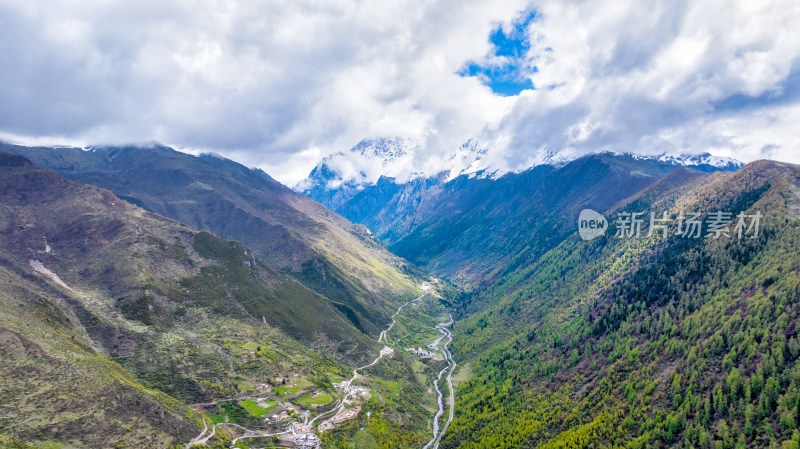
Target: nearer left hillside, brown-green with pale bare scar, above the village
x=113 y=318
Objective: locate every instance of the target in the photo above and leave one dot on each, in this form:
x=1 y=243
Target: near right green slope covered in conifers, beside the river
x=660 y=341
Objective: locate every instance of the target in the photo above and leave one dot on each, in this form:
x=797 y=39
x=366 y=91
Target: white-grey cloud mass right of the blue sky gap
x=651 y=77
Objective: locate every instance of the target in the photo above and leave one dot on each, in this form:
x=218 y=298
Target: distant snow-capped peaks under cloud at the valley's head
x=390 y=177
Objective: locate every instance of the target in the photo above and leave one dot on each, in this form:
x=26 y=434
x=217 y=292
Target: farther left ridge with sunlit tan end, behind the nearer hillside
x=290 y=233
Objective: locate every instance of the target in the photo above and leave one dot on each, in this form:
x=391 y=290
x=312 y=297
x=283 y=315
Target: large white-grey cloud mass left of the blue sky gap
x=265 y=81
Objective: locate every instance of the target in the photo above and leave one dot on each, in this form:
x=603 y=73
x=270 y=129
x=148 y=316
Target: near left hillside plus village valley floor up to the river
x=175 y=316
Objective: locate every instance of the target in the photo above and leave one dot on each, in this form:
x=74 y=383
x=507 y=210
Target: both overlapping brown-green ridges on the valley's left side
x=115 y=318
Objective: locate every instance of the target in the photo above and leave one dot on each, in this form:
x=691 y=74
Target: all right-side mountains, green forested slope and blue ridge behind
x=658 y=341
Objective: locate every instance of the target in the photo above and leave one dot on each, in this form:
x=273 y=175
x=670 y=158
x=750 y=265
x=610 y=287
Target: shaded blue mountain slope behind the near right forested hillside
x=475 y=228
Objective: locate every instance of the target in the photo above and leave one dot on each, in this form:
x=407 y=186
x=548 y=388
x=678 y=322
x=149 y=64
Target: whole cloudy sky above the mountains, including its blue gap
x=280 y=84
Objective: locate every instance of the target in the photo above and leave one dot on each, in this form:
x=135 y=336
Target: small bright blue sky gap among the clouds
x=506 y=71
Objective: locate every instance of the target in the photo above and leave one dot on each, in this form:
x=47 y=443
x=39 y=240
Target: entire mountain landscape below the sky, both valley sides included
x=139 y=280
